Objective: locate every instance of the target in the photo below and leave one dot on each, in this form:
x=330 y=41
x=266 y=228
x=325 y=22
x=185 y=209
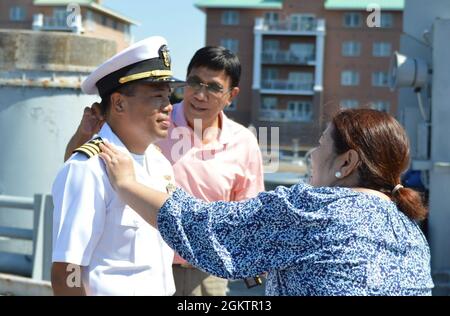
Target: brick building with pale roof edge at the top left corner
x=51 y=15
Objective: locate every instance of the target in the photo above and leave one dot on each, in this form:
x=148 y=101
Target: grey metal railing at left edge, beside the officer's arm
x=40 y=235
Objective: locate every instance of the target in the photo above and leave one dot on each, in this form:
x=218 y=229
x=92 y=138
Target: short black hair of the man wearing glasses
x=218 y=58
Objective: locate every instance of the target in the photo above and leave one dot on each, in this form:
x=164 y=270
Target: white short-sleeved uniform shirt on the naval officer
x=121 y=253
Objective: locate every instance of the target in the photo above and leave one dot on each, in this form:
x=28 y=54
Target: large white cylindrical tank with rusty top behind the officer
x=41 y=105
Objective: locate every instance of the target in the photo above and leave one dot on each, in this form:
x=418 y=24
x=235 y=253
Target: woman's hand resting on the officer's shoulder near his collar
x=119 y=166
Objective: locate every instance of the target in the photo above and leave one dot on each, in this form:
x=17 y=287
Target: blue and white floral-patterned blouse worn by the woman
x=311 y=241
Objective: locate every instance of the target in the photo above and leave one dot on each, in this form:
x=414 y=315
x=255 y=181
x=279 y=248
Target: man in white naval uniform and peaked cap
x=100 y=245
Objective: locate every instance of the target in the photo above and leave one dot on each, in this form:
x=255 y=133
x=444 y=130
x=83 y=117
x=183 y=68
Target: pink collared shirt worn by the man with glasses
x=229 y=169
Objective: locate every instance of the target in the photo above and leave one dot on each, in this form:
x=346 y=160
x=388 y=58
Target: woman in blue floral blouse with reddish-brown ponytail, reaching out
x=351 y=231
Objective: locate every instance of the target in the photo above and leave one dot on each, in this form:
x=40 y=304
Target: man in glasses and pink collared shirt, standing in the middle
x=214 y=158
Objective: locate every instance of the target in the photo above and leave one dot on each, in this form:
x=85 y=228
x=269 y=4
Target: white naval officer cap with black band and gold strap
x=147 y=60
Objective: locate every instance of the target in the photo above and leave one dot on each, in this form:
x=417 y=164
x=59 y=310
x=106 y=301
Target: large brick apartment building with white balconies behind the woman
x=303 y=59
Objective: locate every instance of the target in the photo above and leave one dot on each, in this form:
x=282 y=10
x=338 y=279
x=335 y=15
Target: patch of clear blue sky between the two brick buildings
x=182 y=24
